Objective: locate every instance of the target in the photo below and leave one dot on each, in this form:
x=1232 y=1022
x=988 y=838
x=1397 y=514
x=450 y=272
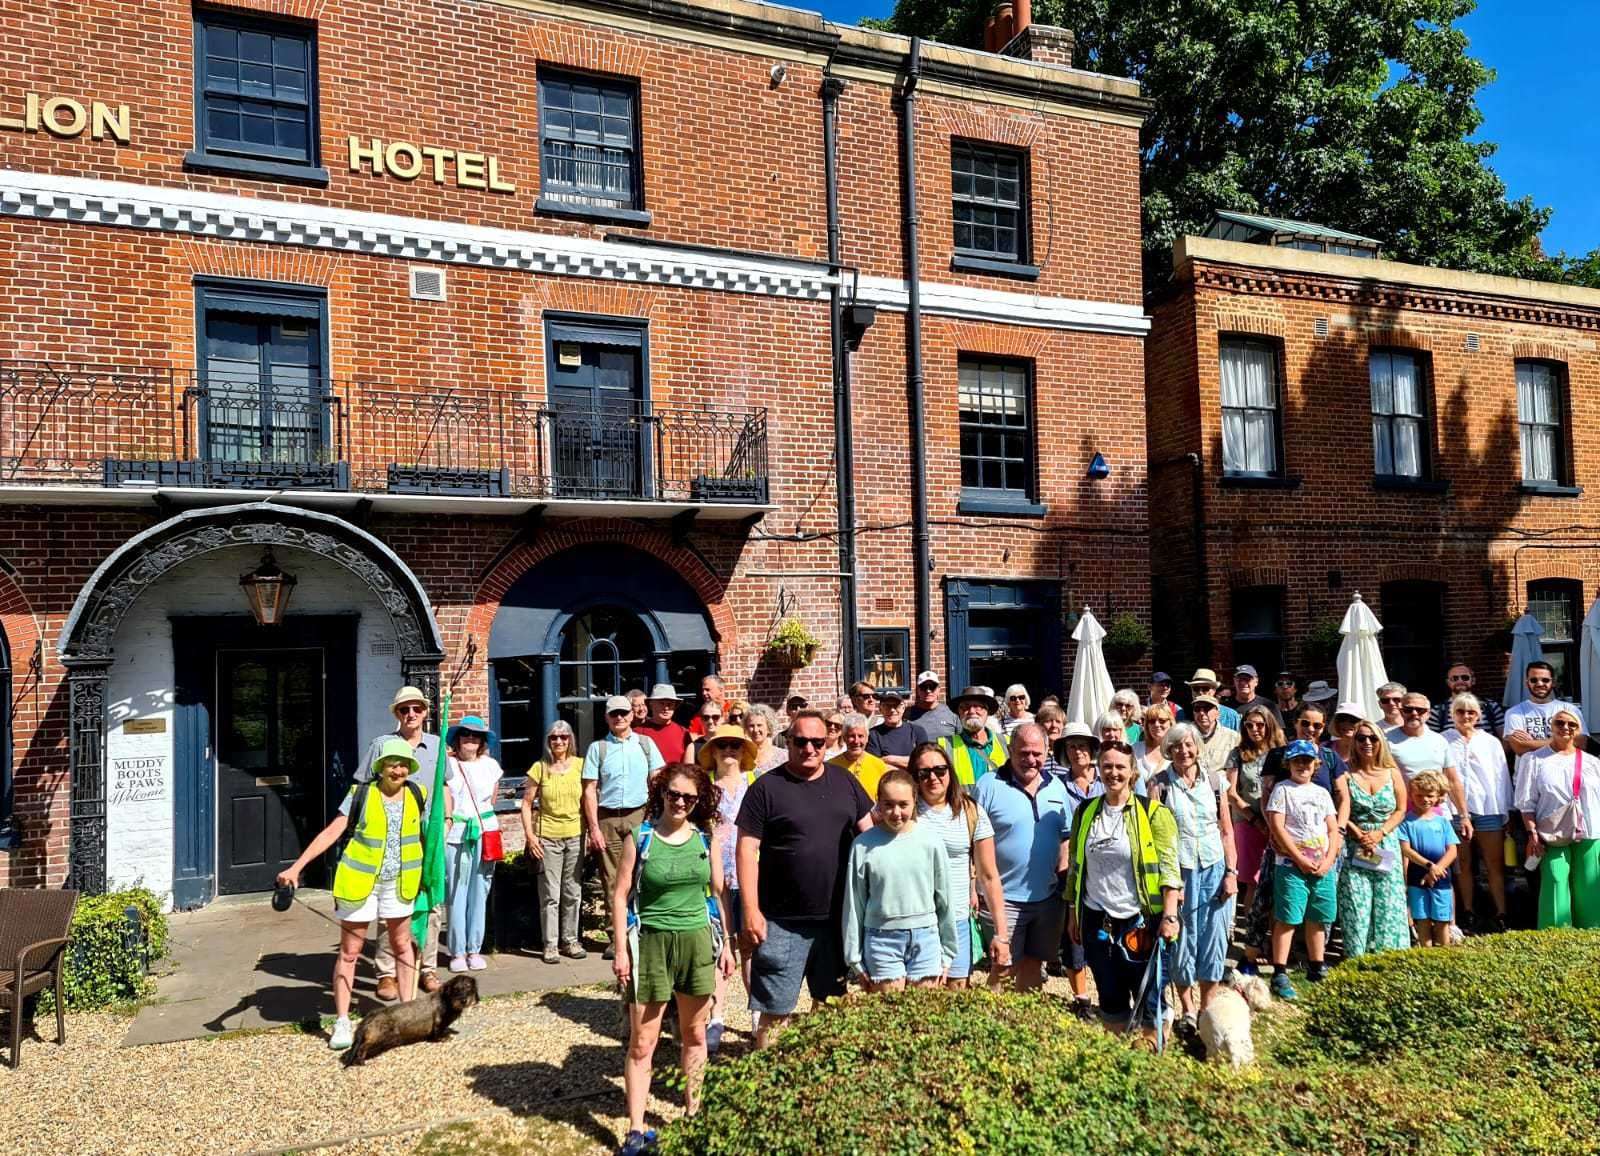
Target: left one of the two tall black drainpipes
x=844 y=438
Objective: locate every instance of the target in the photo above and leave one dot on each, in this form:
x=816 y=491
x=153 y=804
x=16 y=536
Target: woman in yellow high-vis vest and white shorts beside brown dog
x=378 y=877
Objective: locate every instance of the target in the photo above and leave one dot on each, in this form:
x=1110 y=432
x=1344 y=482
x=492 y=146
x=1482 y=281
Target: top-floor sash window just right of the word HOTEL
x=588 y=143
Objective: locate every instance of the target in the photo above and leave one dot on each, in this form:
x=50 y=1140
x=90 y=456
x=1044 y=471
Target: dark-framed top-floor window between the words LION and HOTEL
x=263 y=73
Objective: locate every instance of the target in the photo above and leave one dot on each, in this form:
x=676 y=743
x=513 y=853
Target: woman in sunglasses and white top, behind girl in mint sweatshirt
x=945 y=808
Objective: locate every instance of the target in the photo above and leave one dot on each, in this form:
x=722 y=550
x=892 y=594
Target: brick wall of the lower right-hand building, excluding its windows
x=1473 y=536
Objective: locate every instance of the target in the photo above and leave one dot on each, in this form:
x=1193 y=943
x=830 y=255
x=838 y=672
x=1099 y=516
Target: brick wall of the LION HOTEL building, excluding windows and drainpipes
x=730 y=156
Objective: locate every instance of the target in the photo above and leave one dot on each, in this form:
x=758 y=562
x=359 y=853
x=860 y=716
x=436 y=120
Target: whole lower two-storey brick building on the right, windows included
x=1327 y=423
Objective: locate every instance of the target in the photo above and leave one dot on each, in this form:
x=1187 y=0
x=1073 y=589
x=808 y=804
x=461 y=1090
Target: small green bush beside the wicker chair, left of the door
x=103 y=968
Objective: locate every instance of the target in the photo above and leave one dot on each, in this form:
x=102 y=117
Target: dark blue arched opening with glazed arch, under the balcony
x=583 y=625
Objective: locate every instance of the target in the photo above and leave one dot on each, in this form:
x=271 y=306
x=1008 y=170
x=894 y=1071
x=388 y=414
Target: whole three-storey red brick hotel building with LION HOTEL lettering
x=553 y=351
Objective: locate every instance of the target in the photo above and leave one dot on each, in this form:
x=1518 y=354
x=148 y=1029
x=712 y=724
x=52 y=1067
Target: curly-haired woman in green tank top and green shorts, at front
x=668 y=889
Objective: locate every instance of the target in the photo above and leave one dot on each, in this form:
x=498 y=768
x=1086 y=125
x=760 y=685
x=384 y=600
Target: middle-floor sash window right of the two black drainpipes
x=998 y=430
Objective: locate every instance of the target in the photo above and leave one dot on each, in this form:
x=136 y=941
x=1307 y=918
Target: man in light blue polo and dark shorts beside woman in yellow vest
x=1031 y=814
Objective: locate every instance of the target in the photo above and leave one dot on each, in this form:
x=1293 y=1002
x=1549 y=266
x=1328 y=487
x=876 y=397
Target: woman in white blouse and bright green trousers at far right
x=1548 y=782
